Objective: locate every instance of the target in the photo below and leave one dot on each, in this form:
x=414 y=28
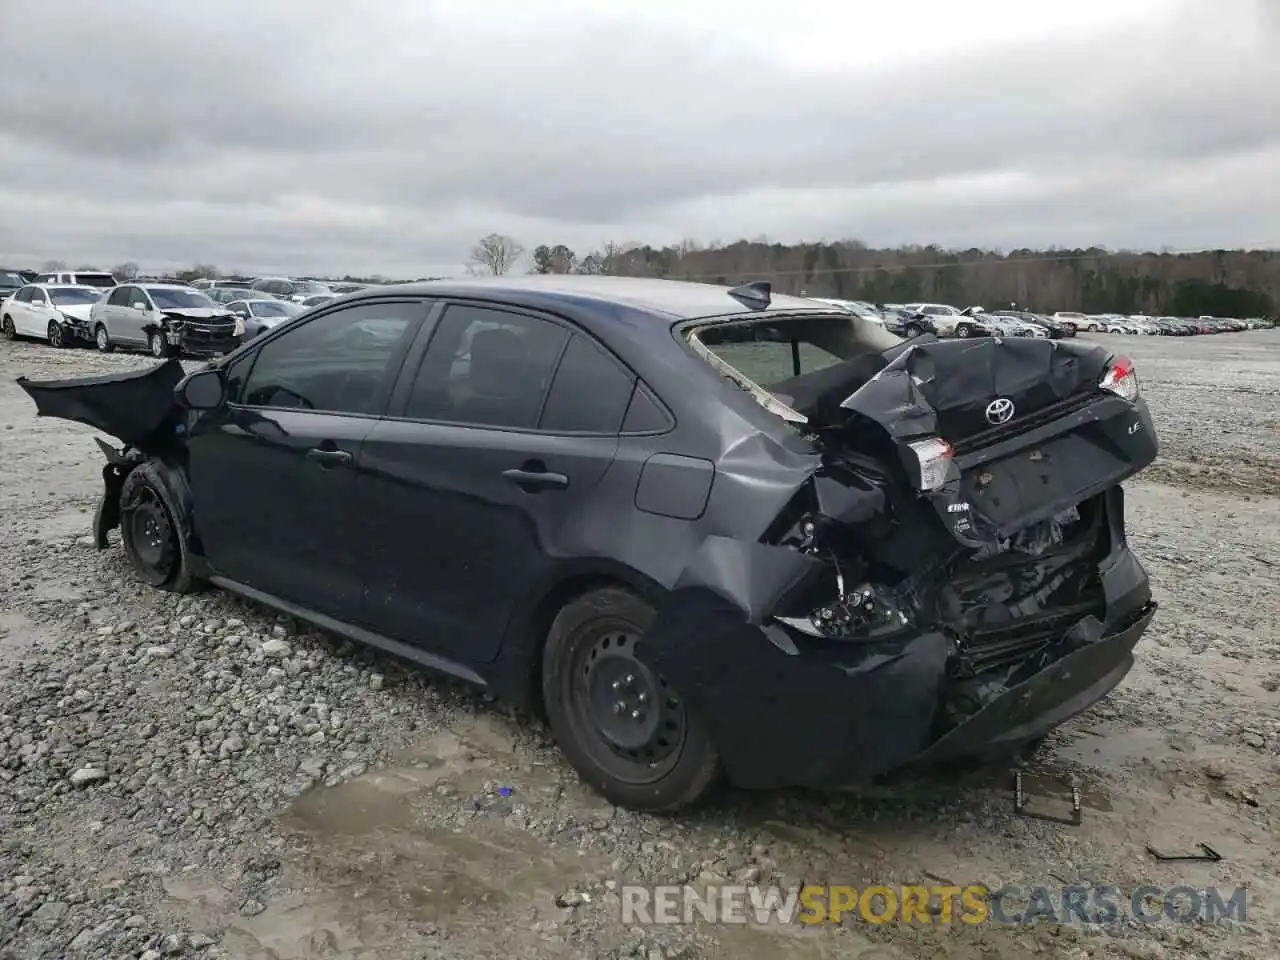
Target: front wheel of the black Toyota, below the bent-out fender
x=153 y=537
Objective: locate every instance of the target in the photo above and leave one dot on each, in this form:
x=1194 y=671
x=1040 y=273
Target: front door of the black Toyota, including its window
x=273 y=472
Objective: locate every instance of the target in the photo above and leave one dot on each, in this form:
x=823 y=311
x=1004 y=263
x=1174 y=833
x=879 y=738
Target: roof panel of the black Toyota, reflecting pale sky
x=675 y=300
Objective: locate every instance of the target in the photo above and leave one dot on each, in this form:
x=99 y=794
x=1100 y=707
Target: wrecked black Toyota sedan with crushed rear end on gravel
x=705 y=531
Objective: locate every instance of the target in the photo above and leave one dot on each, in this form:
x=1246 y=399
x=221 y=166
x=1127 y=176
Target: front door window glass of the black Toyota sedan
x=335 y=363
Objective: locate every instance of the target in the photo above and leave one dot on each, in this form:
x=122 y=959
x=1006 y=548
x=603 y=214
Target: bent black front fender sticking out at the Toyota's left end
x=131 y=406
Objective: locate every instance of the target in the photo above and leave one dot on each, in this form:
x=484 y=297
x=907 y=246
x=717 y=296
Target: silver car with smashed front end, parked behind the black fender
x=164 y=319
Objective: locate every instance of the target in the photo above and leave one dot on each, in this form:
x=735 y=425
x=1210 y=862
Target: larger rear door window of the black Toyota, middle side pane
x=488 y=368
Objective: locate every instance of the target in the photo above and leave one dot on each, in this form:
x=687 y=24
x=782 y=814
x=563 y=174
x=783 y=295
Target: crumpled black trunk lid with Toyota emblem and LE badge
x=1032 y=433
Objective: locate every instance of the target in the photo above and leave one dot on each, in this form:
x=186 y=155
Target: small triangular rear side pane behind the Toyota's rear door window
x=591 y=392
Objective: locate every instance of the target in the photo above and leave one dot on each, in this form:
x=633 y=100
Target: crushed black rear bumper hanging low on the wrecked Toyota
x=792 y=711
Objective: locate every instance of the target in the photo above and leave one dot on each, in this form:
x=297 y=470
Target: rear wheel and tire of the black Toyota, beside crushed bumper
x=623 y=728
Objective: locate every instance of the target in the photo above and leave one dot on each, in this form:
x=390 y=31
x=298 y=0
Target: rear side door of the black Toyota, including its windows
x=502 y=424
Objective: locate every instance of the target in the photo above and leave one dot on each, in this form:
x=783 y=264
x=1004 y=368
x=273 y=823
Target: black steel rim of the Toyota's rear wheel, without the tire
x=638 y=721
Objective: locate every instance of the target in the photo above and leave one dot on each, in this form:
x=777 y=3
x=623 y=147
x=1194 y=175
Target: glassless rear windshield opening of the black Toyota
x=801 y=368
